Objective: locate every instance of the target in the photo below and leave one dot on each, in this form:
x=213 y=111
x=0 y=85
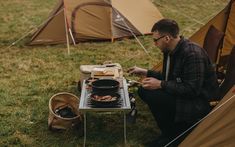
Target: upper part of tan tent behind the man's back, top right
x=225 y=22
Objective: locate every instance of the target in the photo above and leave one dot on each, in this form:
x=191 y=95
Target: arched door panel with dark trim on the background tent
x=85 y=28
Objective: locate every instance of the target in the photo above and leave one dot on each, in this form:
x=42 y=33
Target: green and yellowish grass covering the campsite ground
x=31 y=75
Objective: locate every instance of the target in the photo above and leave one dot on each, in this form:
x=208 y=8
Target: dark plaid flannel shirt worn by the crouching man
x=192 y=80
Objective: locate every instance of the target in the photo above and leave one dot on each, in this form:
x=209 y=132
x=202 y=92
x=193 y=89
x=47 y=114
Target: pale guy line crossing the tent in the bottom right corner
x=213 y=111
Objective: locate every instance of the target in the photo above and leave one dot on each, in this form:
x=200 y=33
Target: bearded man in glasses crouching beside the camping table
x=179 y=96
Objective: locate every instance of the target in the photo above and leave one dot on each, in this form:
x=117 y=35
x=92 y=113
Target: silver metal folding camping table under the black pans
x=123 y=105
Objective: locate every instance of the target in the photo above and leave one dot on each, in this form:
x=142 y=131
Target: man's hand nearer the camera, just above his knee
x=151 y=83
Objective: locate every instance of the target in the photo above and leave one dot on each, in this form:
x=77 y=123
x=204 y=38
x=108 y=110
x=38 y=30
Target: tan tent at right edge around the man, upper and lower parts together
x=218 y=128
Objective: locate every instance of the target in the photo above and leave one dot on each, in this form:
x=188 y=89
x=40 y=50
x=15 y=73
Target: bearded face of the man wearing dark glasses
x=160 y=41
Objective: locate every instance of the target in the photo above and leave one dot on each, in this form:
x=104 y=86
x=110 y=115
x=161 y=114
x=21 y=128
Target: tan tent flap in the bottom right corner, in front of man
x=218 y=129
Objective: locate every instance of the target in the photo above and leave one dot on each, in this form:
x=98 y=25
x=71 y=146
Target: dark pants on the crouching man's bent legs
x=163 y=107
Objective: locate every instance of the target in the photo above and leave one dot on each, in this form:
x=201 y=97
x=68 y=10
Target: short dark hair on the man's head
x=166 y=26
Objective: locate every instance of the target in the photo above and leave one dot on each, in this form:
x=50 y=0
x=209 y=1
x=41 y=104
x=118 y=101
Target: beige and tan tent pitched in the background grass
x=90 y=20
